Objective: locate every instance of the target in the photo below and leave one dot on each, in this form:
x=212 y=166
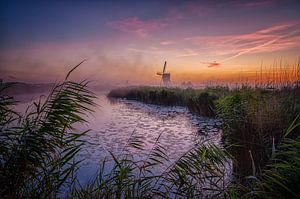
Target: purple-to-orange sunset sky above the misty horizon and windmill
x=130 y=40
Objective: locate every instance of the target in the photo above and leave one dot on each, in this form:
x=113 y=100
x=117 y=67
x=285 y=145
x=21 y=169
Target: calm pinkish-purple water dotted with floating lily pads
x=113 y=122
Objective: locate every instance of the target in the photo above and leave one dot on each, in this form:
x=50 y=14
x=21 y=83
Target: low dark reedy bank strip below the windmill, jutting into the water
x=199 y=101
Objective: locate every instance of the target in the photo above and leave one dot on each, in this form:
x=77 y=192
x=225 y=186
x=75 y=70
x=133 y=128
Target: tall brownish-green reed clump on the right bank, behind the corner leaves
x=254 y=122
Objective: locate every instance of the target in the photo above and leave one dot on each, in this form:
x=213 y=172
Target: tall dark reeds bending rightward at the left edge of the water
x=37 y=148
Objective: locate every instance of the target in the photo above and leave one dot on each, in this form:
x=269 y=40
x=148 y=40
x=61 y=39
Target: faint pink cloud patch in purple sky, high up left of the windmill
x=137 y=26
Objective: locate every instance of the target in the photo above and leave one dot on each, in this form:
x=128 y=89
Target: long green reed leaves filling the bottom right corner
x=279 y=178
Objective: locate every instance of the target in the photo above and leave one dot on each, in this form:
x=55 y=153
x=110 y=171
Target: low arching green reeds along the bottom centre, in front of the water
x=198 y=173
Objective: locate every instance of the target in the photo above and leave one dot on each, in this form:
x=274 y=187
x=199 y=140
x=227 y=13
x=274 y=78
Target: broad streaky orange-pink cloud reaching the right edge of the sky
x=275 y=38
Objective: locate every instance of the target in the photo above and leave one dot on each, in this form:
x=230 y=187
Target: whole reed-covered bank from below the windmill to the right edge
x=257 y=123
